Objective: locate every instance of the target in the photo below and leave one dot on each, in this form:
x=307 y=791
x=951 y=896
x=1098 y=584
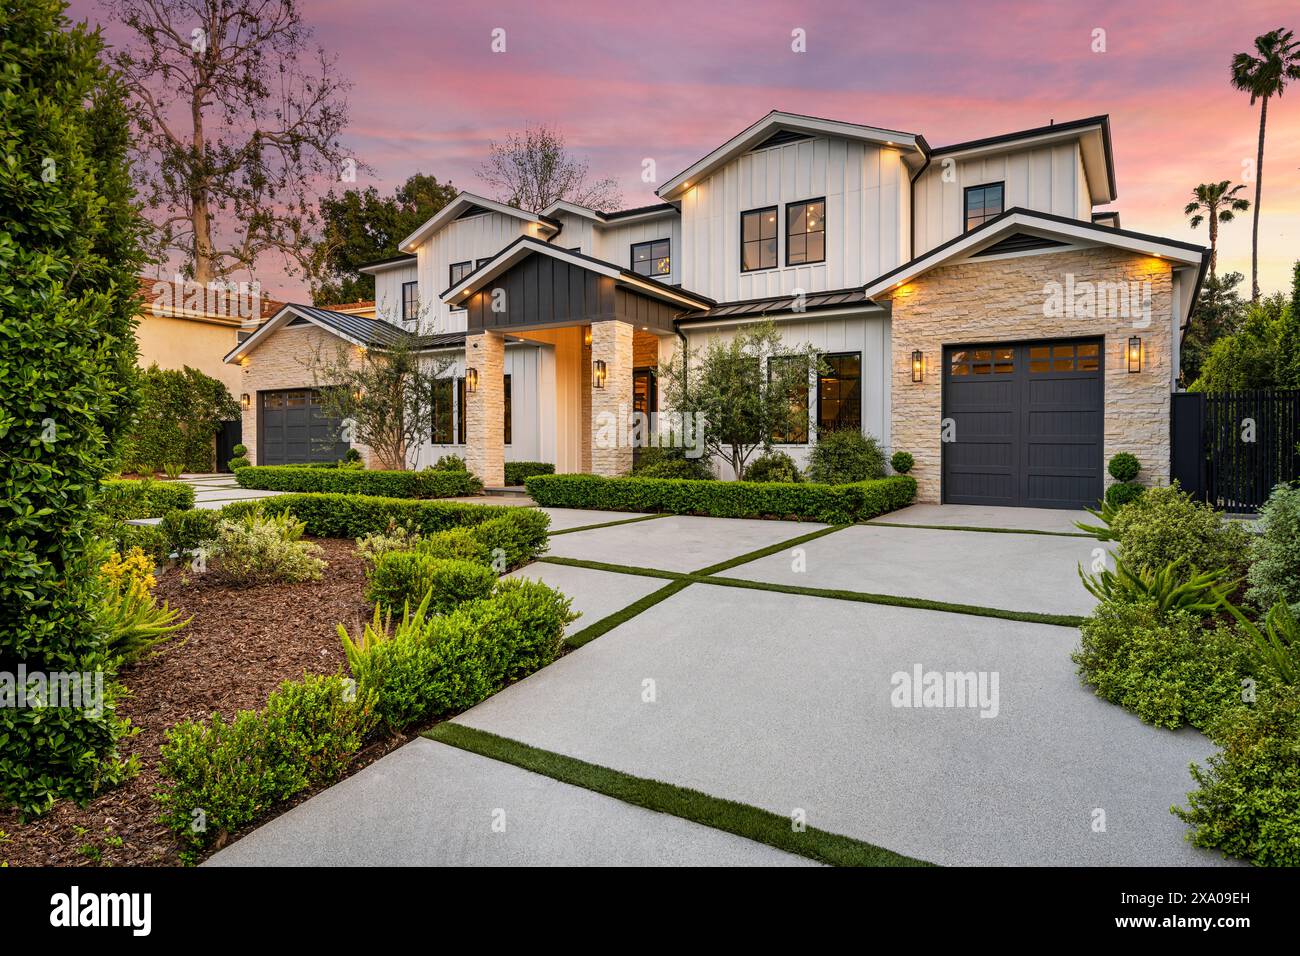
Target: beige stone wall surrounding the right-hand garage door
x=1003 y=301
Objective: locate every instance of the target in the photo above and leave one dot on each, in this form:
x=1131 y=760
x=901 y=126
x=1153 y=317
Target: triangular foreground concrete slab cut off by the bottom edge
x=428 y=804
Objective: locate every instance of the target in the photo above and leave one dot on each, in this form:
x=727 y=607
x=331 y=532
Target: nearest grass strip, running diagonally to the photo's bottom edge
x=743 y=820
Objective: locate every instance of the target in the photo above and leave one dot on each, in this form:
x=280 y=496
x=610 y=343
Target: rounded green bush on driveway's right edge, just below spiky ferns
x=1169 y=669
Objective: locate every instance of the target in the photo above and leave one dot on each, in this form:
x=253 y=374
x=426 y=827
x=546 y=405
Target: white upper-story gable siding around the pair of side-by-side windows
x=868 y=197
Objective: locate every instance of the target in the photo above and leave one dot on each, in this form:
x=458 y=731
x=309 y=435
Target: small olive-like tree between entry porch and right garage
x=747 y=400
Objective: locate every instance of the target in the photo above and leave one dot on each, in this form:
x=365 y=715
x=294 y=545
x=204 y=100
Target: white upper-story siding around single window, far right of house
x=1047 y=179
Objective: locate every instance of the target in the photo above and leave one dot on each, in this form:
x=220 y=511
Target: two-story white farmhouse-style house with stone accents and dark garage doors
x=970 y=305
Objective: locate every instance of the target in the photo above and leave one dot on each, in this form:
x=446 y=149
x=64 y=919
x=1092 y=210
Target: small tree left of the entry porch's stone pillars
x=391 y=397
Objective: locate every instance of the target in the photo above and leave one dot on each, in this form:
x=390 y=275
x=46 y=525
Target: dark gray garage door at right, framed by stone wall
x=1026 y=423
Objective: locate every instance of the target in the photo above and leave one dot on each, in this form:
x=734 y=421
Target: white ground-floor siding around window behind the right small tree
x=829 y=335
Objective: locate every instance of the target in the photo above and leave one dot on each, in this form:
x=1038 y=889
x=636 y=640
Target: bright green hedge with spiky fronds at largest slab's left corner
x=428 y=665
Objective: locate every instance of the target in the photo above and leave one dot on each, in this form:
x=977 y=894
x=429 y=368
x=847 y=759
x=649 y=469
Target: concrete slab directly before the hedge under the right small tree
x=677 y=543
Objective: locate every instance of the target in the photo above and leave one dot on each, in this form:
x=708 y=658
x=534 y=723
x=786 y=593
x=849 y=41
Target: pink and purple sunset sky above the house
x=673 y=80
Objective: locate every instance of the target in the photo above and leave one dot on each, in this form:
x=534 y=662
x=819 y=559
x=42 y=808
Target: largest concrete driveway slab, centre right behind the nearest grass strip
x=785 y=702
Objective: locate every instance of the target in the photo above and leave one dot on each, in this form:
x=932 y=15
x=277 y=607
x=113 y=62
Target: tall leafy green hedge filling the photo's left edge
x=70 y=259
